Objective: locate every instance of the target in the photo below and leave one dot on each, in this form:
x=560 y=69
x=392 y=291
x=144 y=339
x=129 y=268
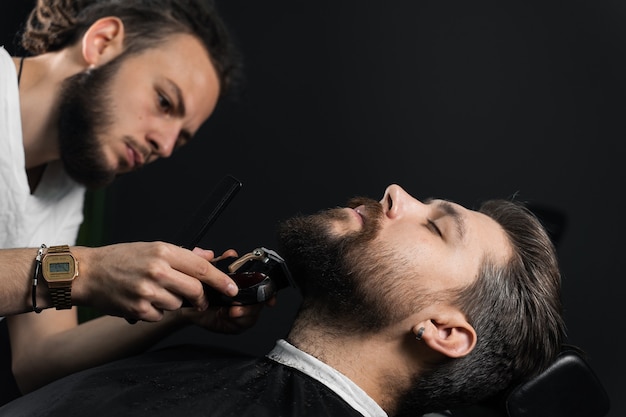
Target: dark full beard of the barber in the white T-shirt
x=84 y=114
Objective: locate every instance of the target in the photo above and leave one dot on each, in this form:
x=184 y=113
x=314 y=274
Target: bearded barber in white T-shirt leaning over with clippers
x=107 y=87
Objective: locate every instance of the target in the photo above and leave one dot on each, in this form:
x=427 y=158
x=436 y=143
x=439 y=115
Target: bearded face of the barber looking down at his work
x=130 y=112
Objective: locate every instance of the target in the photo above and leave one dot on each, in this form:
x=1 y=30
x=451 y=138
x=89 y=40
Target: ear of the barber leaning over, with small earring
x=103 y=41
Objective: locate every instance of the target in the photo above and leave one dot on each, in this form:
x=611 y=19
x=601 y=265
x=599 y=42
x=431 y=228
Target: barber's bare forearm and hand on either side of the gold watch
x=133 y=280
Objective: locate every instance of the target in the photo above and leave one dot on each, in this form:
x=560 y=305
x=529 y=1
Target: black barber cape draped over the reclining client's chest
x=184 y=381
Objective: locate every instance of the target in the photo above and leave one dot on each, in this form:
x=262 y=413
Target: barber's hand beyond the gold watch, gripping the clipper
x=141 y=280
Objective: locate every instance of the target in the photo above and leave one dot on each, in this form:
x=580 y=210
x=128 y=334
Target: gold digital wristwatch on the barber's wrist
x=59 y=268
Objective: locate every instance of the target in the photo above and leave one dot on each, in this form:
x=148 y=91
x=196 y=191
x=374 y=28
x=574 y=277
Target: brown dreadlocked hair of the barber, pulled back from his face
x=56 y=24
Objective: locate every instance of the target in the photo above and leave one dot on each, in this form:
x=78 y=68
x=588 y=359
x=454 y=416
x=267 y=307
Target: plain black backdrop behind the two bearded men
x=454 y=99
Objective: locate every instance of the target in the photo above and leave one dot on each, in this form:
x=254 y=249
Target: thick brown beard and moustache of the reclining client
x=351 y=281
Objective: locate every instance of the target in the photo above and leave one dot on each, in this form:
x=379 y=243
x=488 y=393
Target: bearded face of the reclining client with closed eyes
x=377 y=262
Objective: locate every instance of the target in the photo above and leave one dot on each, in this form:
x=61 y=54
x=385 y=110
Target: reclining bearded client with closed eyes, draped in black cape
x=408 y=308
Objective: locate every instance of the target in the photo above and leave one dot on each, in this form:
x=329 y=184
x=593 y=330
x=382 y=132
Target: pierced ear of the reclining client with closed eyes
x=449 y=334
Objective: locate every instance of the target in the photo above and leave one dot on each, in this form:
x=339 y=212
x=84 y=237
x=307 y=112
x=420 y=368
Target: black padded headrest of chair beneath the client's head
x=568 y=388
